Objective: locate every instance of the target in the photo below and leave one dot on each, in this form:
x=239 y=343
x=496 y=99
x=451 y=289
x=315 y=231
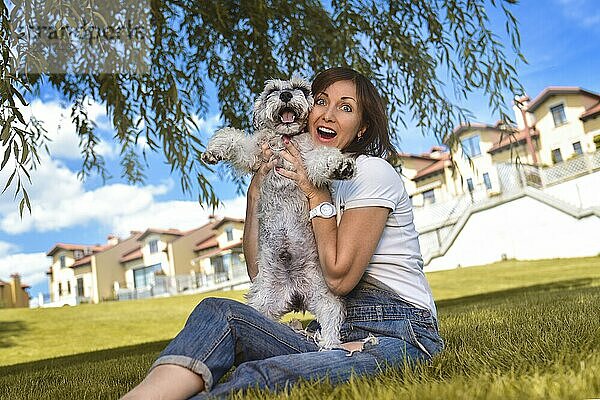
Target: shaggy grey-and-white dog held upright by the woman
x=289 y=276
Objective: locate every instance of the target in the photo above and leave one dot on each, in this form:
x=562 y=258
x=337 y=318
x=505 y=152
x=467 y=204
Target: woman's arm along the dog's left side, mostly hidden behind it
x=250 y=240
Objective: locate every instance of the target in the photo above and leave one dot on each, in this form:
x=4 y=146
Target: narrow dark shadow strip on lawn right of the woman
x=501 y=295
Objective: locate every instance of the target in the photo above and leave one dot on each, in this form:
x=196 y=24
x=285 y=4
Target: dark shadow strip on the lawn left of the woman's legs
x=84 y=358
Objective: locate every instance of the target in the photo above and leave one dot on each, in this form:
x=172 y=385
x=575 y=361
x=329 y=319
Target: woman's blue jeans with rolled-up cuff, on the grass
x=221 y=333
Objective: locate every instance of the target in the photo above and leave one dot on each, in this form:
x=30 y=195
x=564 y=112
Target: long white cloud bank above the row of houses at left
x=59 y=200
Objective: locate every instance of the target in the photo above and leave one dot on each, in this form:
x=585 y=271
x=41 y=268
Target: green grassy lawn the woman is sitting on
x=513 y=330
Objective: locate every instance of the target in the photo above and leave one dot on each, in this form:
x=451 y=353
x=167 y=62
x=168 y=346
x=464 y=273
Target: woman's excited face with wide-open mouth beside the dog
x=336 y=119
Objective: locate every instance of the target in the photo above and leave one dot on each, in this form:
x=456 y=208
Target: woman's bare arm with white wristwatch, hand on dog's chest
x=344 y=250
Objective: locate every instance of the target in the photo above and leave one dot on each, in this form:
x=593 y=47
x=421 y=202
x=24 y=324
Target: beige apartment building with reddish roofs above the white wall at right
x=559 y=124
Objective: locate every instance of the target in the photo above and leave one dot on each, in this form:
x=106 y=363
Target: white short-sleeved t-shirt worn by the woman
x=397 y=261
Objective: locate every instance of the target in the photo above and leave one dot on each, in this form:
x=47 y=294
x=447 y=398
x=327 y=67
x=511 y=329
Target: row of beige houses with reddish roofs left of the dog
x=94 y=273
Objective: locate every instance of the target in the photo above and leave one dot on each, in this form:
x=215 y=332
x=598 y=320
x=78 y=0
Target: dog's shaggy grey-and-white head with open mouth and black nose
x=283 y=106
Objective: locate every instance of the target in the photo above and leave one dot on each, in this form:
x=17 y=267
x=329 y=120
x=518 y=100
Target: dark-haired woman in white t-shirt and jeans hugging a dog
x=369 y=254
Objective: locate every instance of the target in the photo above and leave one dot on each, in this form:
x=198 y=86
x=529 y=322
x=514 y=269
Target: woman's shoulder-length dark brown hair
x=375 y=141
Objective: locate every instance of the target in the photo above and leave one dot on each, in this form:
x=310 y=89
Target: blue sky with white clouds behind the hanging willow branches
x=560 y=39
